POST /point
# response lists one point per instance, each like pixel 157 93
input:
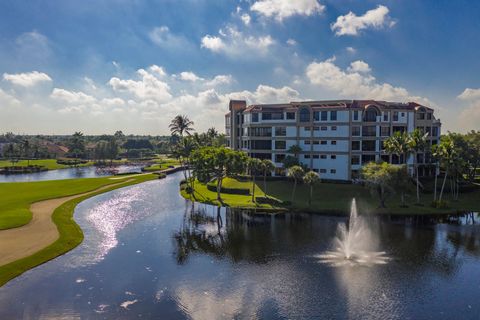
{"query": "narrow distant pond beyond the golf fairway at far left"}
pixel 62 174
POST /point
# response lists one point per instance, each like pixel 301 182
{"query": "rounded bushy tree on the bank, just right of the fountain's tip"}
pixel 380 177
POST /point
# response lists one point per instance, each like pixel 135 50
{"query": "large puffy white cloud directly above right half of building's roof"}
pixel 356 82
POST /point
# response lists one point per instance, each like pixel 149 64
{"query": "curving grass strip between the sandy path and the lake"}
pixel 70 233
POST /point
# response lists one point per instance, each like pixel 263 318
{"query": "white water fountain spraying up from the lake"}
pixel 354 245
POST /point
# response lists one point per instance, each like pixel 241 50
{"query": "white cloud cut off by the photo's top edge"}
pixel 281 9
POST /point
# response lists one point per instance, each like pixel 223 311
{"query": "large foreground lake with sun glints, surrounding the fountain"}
pixel 148 253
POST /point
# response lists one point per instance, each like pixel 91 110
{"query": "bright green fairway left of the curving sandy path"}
pixel 16 198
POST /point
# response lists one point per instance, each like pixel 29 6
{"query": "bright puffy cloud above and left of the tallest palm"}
pixel 148 87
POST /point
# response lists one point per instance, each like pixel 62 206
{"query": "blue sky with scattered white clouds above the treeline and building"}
pixel 99 66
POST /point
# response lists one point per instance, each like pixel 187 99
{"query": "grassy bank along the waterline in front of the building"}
pixel 330 198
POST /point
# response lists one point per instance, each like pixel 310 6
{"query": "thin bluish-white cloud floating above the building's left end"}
pixel 233 42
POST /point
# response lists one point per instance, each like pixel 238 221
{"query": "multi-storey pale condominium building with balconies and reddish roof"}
pixel 335 137
